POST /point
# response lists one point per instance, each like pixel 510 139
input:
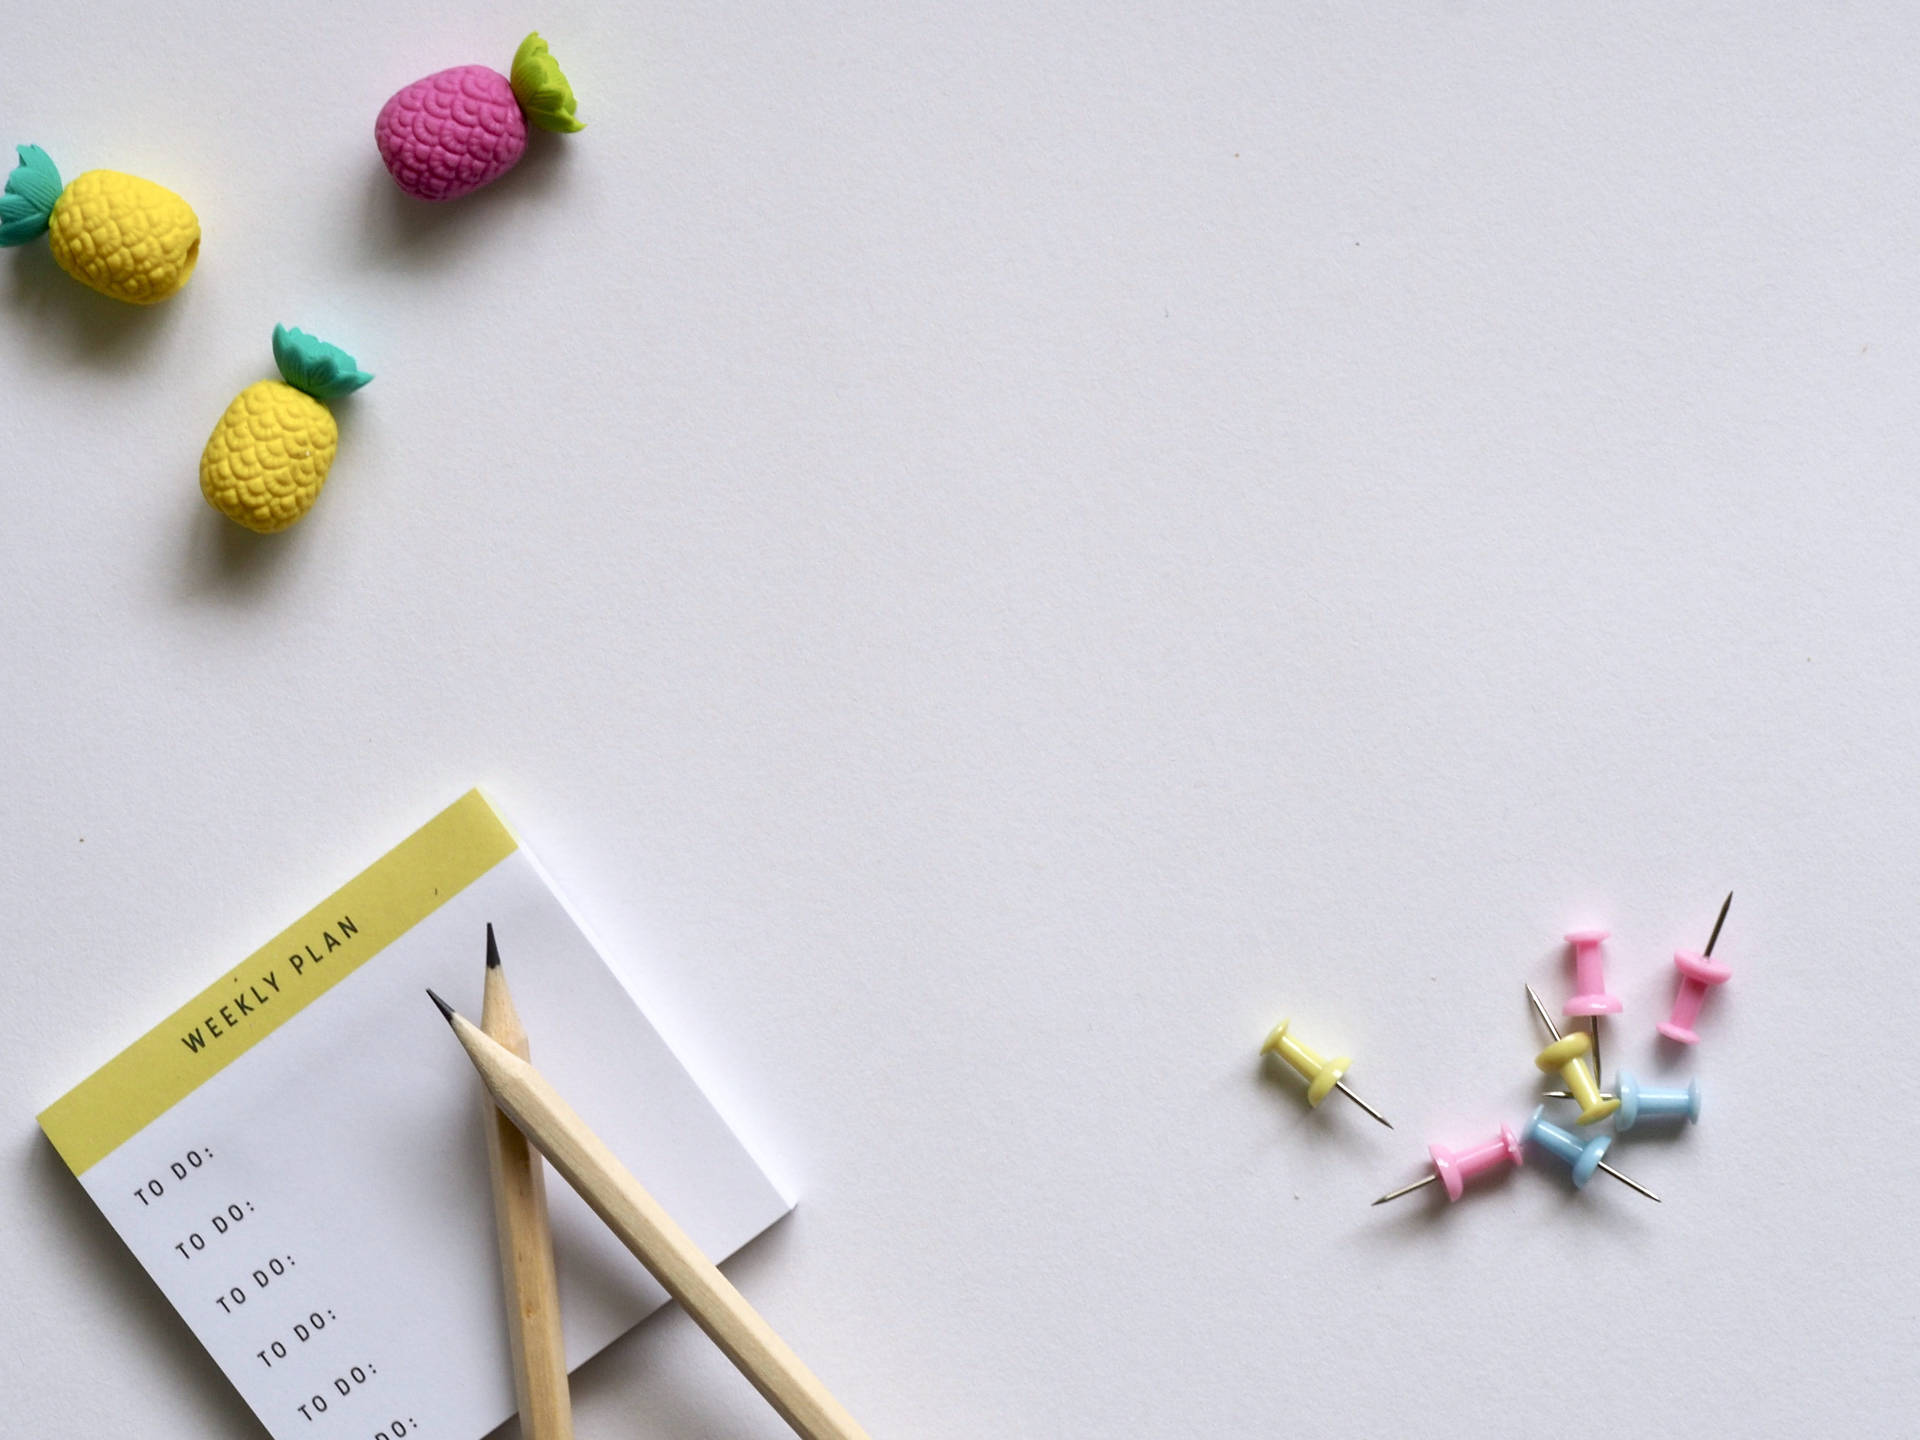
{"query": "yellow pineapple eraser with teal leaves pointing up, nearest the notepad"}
pixel 268 458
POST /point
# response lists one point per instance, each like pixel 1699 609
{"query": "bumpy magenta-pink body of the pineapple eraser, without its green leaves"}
pixel 452 133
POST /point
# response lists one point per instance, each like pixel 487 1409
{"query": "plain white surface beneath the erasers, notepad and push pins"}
pixel 1003 550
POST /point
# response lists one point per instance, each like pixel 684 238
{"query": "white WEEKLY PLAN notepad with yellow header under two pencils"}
pixel 299 1157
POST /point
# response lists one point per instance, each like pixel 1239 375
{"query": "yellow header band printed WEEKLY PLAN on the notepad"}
pixel 277 982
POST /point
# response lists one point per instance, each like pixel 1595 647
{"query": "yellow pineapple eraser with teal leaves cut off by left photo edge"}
pixel 120 235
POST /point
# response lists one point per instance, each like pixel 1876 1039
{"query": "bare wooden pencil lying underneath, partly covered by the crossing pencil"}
pixel 525 1239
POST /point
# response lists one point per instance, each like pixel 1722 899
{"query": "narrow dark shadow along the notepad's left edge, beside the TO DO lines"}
pixel 80 1232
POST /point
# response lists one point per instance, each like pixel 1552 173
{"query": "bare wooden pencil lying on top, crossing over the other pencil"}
pixel 654 1237
